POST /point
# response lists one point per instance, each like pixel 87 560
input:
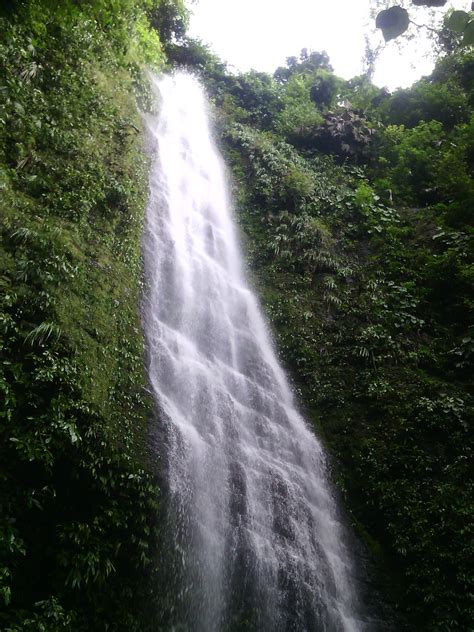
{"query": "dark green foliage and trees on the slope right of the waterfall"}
pixel 356 209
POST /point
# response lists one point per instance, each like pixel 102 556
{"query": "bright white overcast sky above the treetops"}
pixel 260 34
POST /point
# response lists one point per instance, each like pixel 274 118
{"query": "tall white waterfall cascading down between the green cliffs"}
pixel 257 544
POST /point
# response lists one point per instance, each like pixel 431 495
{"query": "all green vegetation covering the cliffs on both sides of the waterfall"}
pixel 356 209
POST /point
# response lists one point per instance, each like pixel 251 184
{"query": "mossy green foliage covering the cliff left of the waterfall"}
pixel 78 497
